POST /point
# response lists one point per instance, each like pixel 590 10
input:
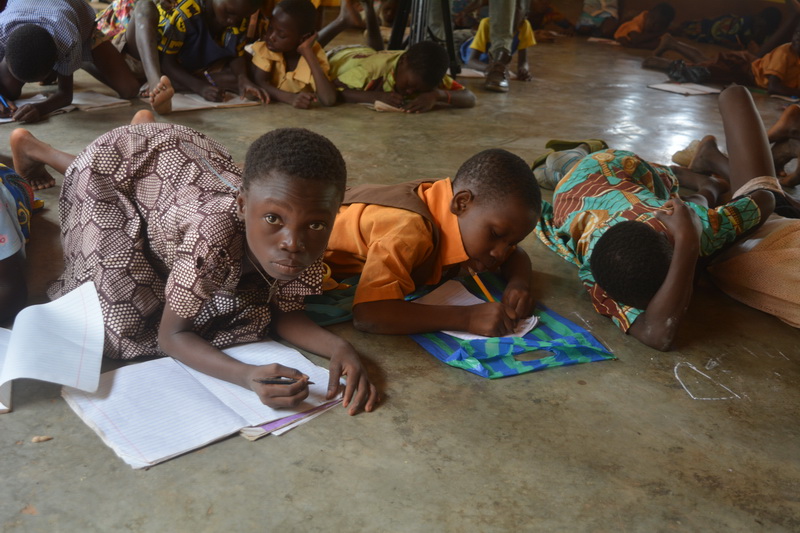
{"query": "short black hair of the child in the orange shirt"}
pixel 495 175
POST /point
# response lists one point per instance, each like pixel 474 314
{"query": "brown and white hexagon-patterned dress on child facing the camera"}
pixel 145 218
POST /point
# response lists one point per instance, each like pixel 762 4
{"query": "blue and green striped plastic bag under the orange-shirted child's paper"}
pixel 568 343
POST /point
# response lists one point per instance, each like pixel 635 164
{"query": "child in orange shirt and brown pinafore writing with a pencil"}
pixel 402 237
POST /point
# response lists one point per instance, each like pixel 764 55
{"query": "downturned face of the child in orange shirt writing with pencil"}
pixel 490 231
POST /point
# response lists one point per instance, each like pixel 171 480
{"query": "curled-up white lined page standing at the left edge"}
pixel 60 341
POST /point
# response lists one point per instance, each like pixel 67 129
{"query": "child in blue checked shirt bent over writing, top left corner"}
pixel 58 36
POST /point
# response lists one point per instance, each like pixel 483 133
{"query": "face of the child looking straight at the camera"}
pixel 288 222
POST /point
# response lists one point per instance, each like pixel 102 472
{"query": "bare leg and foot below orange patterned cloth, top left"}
pixel 132 27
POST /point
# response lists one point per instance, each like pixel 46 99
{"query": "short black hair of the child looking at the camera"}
pixel 298 153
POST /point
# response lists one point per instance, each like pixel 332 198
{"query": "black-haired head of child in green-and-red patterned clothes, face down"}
pixel 630 262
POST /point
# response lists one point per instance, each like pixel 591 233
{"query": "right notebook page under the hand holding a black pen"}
pixel 245 402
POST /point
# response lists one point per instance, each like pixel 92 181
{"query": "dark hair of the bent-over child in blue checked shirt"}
pixel 31 53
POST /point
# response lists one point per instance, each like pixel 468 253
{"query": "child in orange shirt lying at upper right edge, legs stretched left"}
pixel 777 71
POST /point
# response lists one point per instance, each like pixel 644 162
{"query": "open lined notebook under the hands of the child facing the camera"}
pixel 153 411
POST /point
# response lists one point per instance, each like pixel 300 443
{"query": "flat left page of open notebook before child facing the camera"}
pixel 152 411
